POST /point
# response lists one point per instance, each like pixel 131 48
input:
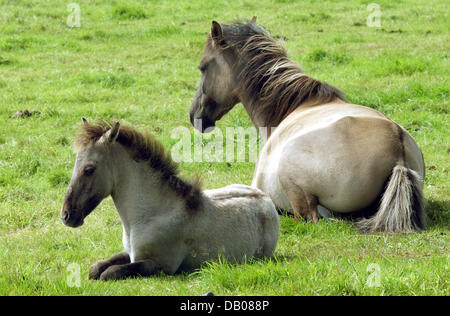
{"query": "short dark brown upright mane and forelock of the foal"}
pixel 145 147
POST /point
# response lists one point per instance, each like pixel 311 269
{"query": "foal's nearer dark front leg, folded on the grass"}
pixel 139 268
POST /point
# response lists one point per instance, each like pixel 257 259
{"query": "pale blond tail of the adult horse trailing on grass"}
pixel 401 209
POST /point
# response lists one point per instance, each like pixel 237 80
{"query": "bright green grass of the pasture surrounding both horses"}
pixel 137 61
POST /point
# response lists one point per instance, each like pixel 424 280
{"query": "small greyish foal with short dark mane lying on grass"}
pixel 168 224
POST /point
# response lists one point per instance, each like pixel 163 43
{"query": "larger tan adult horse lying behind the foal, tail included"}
pixel 324 151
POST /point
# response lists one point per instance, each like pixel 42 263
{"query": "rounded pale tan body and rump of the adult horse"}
pixel 340 153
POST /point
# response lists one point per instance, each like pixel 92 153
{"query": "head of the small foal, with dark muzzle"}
pixel 92 178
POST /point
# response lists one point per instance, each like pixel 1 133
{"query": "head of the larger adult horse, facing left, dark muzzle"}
pixel 216 93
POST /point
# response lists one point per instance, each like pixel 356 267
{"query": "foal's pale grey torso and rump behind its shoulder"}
pixel 238 222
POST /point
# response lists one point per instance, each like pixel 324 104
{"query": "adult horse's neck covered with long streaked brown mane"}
pixel 268 77
